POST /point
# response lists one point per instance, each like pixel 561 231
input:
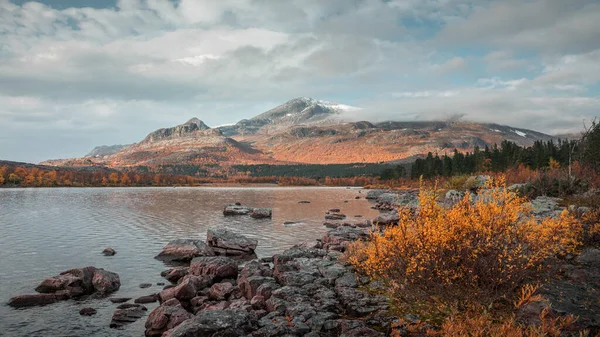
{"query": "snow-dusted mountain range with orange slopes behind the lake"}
pixel 302 131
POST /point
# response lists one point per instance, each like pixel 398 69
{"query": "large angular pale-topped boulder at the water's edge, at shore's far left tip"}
pixel 226 242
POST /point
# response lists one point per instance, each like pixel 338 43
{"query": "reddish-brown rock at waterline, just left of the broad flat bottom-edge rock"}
pixel 167 316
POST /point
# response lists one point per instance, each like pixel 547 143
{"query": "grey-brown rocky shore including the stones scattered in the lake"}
pixel 221 288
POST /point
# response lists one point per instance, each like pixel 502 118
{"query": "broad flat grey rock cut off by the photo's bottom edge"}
pixel 210 322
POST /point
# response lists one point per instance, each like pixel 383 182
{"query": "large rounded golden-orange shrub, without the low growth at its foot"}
pixel 474 252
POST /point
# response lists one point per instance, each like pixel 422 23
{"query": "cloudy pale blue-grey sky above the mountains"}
pixel 75 74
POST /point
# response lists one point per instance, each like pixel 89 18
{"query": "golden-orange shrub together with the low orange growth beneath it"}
pixel 469 268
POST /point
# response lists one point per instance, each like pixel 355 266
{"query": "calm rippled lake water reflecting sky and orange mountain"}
pixel 46 231
